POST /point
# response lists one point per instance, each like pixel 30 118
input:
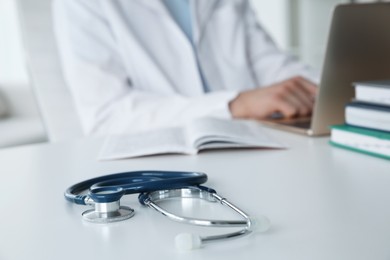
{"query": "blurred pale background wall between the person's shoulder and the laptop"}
pixel 299 27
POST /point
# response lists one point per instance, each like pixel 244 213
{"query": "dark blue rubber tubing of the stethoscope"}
pixel 110 188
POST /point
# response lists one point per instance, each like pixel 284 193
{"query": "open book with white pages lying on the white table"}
pixel 200 134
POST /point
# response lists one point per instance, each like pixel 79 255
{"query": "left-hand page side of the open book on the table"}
pixel 169 140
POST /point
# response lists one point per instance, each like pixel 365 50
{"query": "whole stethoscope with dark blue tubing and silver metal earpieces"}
pixel 105 192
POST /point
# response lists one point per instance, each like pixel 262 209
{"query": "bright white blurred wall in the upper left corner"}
pixel 12 67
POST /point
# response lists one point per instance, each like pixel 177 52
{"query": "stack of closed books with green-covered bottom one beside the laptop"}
pixel 367 121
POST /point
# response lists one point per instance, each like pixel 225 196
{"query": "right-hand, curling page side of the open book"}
pixel 207 133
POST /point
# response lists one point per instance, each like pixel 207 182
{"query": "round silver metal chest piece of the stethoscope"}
pixel 107 213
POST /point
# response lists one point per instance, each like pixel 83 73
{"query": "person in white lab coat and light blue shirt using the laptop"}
pixel 143 64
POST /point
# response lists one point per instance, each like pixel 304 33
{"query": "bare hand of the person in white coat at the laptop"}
pixel 292 98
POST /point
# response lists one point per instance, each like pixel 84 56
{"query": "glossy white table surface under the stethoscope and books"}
pixel 324 203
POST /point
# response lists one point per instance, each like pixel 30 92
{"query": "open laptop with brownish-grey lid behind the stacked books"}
pixel 358 50
